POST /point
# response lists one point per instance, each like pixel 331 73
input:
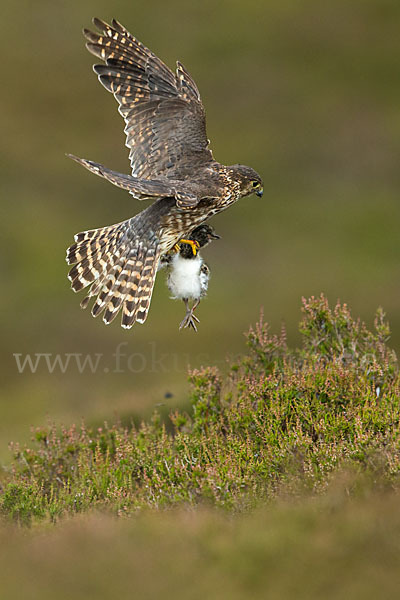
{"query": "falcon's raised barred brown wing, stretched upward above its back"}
pixel 164 117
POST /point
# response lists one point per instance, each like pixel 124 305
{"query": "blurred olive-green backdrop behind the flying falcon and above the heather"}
pixel 308 93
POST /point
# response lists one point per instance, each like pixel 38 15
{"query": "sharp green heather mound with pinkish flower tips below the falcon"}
pixel 283 420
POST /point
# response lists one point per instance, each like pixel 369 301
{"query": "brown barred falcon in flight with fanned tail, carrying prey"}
pixel 171 164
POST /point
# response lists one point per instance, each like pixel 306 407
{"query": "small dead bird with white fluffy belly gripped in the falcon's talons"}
pixel 188 274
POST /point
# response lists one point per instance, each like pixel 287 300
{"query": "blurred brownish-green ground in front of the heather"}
pixel 335 547
